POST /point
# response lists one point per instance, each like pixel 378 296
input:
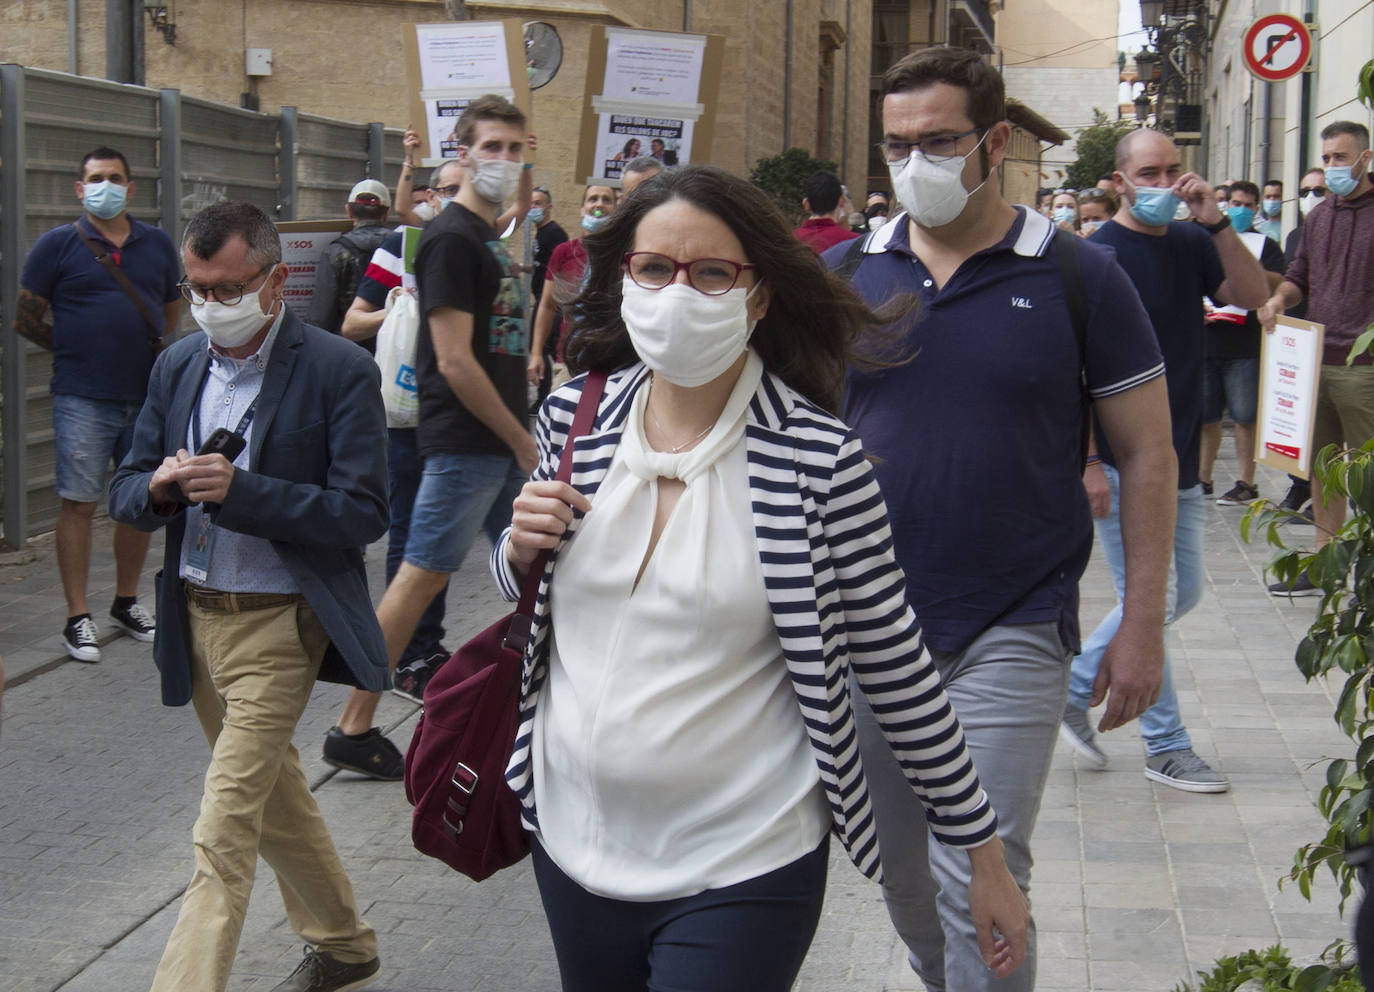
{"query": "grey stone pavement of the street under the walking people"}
pixel 1136 886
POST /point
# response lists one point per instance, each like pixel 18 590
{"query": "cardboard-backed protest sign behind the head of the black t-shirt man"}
pixel 450 65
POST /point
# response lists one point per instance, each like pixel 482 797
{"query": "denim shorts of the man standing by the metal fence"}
pixel 89 435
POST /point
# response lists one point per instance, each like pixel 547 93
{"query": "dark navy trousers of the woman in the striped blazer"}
pixel 745 938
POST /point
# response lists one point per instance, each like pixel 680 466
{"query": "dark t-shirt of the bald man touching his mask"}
pixel 1173 273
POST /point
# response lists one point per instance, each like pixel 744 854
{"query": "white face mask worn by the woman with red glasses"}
pixel 686 336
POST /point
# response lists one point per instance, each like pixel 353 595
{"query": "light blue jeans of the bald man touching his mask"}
pixel 1162 726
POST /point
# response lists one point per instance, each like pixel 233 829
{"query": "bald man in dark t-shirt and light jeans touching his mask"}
pixel 1173 266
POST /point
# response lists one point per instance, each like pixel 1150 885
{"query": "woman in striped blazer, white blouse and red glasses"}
pixel 722 580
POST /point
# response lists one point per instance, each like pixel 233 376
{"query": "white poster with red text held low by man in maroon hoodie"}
pixel 1291 366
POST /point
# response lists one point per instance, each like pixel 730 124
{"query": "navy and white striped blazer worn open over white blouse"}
pixel 837 597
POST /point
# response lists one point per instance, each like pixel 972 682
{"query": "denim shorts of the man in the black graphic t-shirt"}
pixel 460 494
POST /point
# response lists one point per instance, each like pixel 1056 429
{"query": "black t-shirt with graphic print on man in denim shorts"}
pixel 462 264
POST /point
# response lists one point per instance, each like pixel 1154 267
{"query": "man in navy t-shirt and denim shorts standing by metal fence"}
pixel 102 354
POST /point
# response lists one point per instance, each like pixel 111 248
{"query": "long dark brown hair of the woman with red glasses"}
pixel 814 318
